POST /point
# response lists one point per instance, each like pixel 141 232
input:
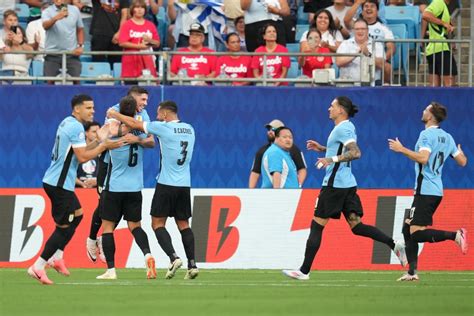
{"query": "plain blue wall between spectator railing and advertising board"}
pixel 229 127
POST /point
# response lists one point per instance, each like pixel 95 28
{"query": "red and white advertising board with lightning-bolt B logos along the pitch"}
pixel 261 229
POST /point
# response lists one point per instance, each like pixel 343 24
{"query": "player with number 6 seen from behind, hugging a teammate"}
pixel 122 196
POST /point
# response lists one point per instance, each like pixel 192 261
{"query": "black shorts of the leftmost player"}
pixel 63 204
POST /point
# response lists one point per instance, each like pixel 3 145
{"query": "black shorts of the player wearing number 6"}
pixel 114 205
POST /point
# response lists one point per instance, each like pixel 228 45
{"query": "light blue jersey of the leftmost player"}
pixel 63 168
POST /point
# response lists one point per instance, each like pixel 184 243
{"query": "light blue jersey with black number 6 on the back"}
pixel 125 169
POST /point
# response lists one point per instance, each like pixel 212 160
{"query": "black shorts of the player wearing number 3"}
pixel 170 201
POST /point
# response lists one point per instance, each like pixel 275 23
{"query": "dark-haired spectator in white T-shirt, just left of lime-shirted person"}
pixel 377 30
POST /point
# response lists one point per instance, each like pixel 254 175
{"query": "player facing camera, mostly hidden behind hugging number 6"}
pixel 94 243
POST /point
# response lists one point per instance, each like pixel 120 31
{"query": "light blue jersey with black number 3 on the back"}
pixel 176 146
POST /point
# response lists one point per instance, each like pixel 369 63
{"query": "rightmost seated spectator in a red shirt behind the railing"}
pixel 309 63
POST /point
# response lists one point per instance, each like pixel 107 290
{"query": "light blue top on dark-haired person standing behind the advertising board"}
pixel 275 159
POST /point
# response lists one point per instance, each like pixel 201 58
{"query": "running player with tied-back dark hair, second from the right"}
pixel 339 189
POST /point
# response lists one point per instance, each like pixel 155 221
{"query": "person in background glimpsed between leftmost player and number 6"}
pixel 87 171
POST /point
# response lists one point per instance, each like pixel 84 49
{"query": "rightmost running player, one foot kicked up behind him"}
pixel 433 147
